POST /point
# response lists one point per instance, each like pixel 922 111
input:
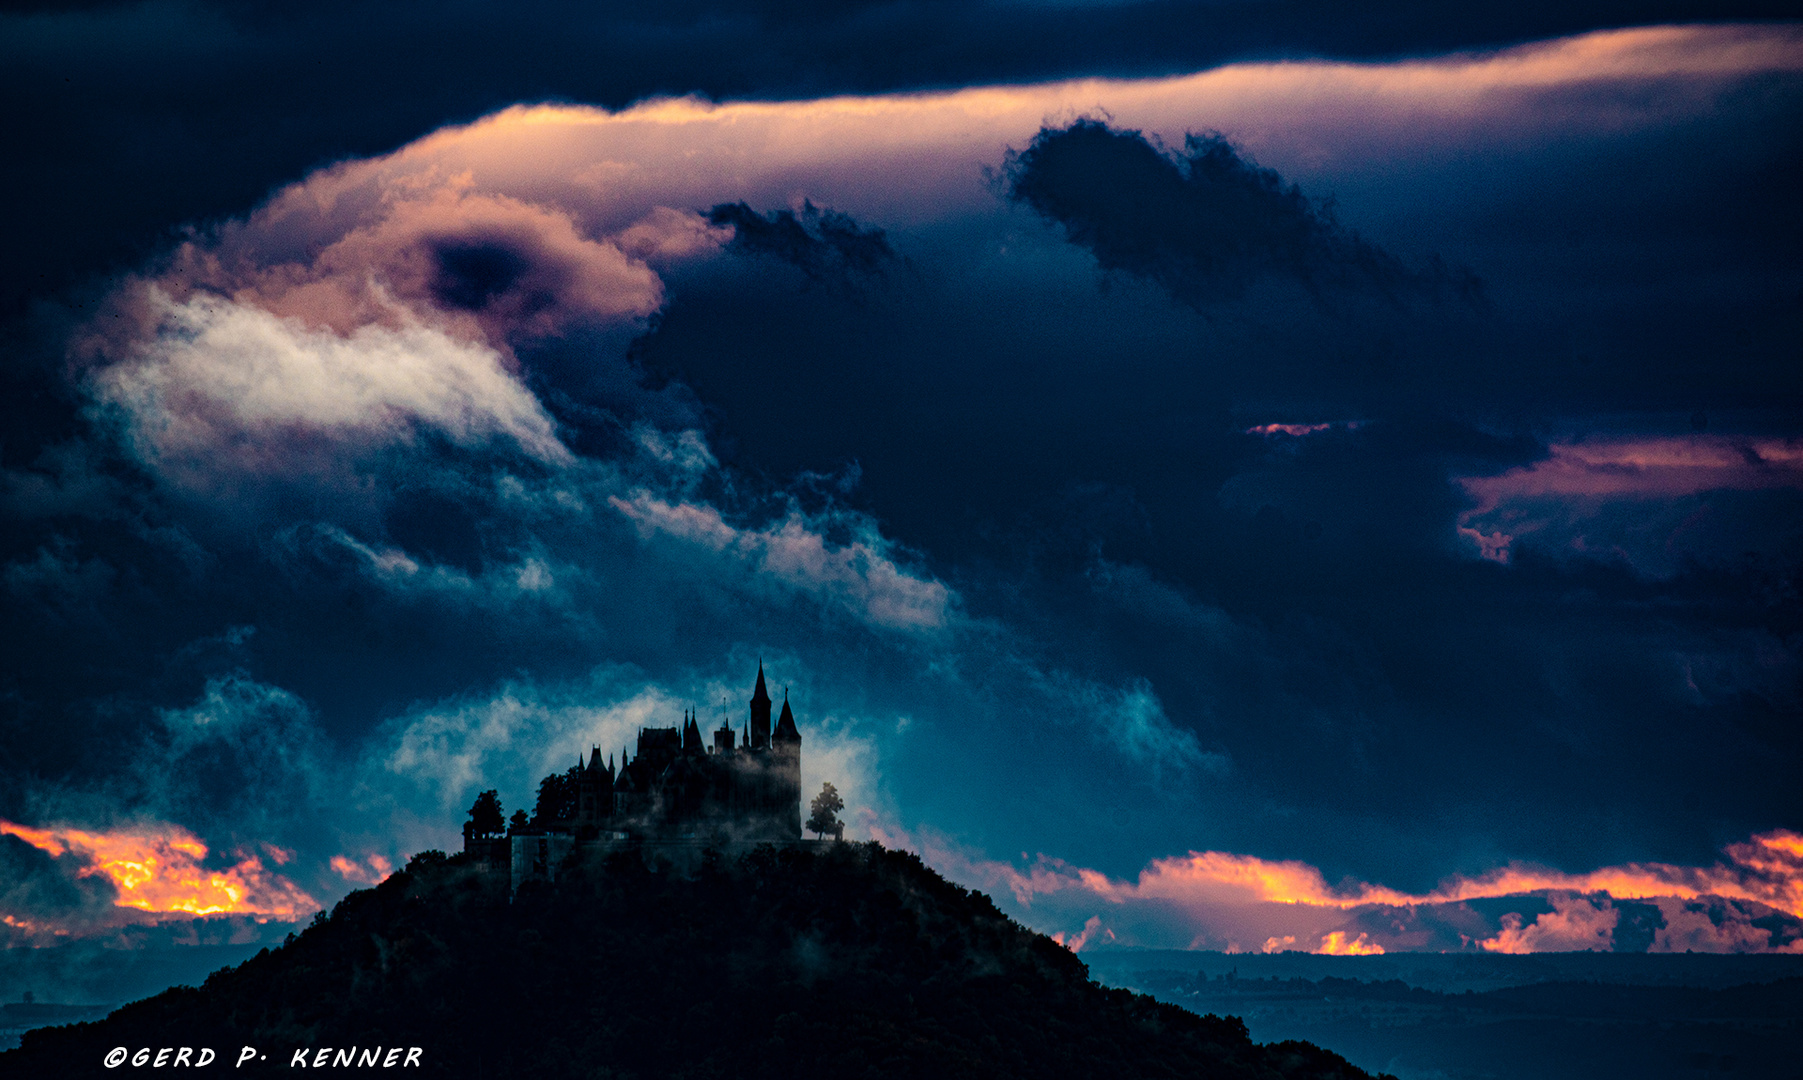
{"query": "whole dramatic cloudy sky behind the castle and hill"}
pixel 1211 475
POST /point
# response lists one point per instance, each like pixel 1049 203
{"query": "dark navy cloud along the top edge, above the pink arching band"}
pixel 136 118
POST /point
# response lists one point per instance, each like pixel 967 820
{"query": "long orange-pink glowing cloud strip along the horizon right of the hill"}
pixel 1249 904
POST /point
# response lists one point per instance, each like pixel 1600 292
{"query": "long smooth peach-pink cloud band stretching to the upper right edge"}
pixel 915 158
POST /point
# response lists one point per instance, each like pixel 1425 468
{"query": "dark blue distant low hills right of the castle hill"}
pixel 1571 1027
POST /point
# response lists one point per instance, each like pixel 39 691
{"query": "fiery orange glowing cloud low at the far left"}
pixel 158 870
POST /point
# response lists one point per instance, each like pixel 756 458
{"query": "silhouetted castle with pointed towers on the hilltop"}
pixel 673 791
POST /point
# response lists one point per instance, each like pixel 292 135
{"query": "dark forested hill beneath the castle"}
pixel 836 964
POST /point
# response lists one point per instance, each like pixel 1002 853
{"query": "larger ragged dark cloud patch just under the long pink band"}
pixel 1205 224
